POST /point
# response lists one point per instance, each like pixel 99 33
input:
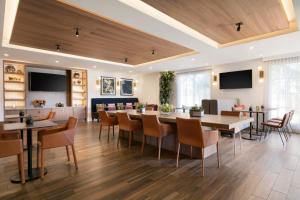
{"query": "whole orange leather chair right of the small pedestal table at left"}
pixel 57 137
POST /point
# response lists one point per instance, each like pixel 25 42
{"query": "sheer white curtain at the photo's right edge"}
pixel 283 88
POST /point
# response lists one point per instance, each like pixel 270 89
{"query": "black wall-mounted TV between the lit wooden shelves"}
pixel 47 82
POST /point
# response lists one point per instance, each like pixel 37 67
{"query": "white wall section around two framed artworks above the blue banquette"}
pixel 94 90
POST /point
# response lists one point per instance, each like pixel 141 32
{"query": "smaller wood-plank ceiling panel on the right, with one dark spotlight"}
pixel 216 19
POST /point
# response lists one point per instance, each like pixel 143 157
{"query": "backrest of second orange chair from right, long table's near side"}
pixel 151 125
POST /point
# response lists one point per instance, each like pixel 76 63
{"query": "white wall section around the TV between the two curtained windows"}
pixel 253 96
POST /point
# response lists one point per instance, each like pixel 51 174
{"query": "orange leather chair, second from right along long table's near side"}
pixel 152 127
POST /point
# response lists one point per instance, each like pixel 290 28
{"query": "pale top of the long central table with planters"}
pixel 214 121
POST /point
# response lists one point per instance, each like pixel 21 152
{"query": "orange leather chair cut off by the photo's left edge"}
pixel 11 144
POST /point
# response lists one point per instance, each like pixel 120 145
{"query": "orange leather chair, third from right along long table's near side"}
pixel 128 125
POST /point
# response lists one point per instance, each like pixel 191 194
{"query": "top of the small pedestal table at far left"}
pixel 23 126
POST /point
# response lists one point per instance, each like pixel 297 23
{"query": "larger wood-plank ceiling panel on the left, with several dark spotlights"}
pixel 44 23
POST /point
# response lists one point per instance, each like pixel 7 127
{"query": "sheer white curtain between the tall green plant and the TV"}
pixel 192 87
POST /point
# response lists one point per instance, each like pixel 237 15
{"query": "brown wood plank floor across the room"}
pixel 259 171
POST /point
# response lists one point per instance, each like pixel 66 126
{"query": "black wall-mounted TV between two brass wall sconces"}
pixel 236 79
